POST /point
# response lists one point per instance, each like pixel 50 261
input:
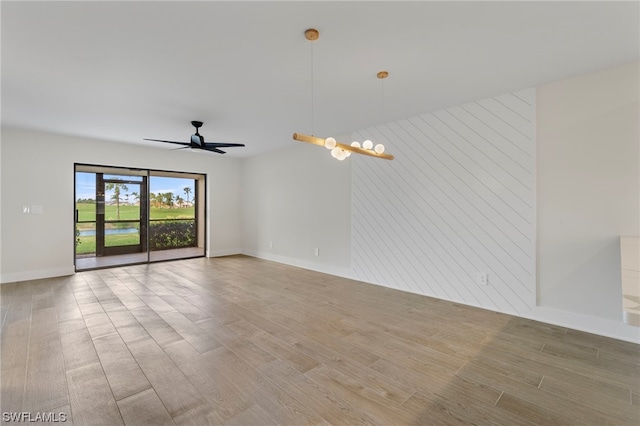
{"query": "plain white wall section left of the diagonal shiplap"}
pixel 298 198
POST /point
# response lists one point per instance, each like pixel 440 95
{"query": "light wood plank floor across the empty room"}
pixel 243 341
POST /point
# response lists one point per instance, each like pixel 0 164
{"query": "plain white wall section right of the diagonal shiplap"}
pixel 588 191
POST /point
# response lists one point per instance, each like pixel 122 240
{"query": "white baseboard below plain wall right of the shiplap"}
pixel 601 326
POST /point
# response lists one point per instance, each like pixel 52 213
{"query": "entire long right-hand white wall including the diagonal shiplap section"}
pixel 429 220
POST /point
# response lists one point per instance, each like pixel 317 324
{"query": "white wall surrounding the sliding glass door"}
pixel 38 169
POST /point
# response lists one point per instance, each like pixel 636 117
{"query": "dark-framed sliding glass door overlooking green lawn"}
pixel 126 216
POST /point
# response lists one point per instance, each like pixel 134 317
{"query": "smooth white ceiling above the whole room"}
pixel 124 71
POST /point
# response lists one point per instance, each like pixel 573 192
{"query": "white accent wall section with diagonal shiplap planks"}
pixel 458 199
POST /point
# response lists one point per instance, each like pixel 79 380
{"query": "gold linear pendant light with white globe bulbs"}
pixel 339 150
